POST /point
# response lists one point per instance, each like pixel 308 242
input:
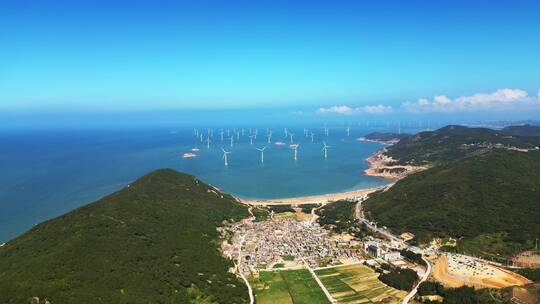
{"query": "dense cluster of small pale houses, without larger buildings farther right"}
pixel 262 245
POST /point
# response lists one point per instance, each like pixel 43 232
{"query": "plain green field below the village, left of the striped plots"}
pixel 287 286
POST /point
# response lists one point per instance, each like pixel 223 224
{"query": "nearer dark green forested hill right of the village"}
pixel 491 202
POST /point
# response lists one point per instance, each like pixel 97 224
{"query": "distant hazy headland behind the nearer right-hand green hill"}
pixel 454 142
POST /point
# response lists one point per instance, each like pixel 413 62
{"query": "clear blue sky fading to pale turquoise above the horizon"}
pixel 158 55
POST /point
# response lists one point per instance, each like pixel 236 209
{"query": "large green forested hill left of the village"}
pixel 152 242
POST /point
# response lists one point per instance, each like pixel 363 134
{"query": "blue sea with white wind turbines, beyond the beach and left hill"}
pixel 46 173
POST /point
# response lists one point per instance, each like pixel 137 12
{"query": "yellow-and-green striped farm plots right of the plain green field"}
pixel 357 284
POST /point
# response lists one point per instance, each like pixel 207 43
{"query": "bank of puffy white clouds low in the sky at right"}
pixel 500 100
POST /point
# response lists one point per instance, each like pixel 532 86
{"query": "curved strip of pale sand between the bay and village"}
pixel 314 199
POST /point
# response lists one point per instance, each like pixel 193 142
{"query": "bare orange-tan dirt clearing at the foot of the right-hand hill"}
pixel 451 273
